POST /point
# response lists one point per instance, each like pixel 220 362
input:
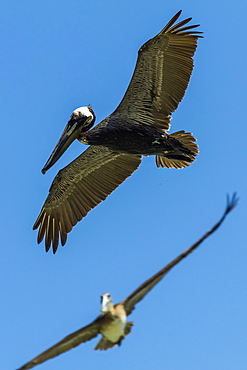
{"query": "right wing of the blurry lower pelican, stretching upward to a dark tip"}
pixel 135 297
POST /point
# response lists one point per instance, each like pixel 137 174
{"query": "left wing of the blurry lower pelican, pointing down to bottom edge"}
pixel 73 340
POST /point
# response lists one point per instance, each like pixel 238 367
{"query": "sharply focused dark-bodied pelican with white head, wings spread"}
pixel 137 127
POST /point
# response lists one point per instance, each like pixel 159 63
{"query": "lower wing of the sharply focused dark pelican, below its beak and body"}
pixel 78 188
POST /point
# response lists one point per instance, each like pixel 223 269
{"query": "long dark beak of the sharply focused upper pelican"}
pixel 71 132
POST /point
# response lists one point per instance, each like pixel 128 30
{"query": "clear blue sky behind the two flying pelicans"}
pixel 56 56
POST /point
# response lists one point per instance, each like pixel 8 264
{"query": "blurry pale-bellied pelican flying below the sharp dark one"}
pixel 111 323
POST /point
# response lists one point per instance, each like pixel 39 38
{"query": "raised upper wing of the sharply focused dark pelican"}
pixel 161 75
